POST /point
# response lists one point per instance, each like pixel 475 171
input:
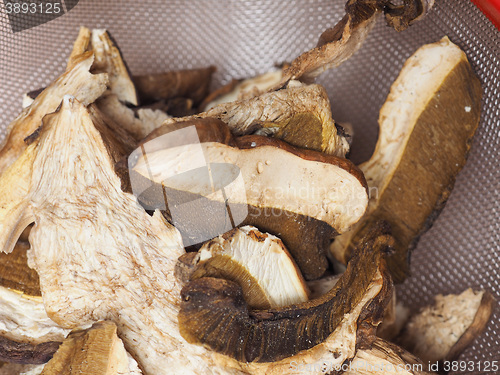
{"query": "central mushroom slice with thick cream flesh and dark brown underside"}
pixel 254 185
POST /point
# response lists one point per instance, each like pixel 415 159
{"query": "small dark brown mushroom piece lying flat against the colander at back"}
pixel 189 83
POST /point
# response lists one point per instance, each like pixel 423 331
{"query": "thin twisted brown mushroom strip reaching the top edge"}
pixel 339 43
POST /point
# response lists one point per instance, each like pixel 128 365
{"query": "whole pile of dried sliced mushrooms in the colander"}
pixel 115 259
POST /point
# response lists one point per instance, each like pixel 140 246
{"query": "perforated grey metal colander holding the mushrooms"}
pixel 243 38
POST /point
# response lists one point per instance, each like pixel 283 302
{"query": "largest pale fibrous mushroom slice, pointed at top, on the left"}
pixel 125 258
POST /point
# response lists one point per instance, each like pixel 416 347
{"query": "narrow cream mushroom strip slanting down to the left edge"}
pixel 76 80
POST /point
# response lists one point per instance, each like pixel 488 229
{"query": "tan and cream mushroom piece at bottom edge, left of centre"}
pixel 97 350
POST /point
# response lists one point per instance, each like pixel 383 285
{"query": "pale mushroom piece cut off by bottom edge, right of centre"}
pixel 387 358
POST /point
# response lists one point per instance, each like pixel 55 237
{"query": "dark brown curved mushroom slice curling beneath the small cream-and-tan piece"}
pixel 214 313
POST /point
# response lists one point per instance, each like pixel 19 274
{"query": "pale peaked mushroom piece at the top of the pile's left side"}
pixel 108 59
